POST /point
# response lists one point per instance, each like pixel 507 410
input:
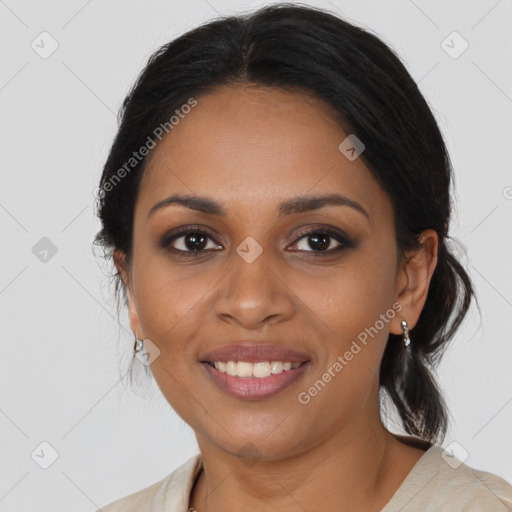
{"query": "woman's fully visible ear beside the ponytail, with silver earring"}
pixel 413 280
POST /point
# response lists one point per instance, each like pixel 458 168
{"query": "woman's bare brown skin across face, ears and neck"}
pixel 250 148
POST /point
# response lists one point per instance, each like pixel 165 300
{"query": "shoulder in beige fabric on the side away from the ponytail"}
pixel 170 493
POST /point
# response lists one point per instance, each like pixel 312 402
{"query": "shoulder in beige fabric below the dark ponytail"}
pixel 441 482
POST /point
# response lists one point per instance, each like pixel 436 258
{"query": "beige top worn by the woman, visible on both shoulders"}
pixel 432 485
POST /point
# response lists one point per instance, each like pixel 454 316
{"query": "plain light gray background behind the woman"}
pixel 62 352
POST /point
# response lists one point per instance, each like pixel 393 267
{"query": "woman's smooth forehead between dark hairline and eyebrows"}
pixel 249 145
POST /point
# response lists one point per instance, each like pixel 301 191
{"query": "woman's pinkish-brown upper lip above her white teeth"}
pixel 251 352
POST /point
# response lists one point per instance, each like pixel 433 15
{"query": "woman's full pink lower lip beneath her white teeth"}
pixel 254 387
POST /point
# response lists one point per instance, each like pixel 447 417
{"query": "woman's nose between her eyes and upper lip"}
pixel 254 294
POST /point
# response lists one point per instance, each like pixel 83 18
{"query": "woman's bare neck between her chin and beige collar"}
pixel 359 468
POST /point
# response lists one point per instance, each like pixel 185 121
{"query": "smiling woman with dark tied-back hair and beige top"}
pixel 277 204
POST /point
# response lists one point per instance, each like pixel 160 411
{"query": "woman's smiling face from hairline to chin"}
pixel 257 275
